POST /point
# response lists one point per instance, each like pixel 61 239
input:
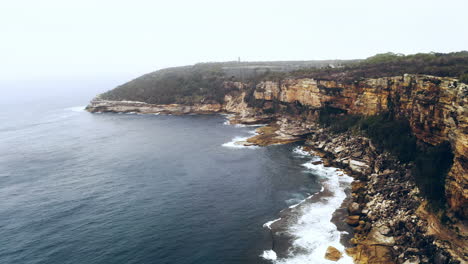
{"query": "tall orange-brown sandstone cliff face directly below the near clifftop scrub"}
pixel 437 109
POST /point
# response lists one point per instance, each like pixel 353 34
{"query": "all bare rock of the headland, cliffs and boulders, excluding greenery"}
pixel 391 218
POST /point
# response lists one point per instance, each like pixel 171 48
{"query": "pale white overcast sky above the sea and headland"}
pixel 48 39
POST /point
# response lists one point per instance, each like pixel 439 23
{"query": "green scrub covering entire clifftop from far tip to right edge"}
pixel 203 82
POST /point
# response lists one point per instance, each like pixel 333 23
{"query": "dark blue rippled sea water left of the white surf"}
pixel 108 188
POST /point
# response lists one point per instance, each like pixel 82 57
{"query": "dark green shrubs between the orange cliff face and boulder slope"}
pixel 431 163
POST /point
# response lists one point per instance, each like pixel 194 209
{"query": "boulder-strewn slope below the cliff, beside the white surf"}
pixel 388 216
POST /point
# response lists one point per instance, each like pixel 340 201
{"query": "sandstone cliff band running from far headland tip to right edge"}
pixel 435 107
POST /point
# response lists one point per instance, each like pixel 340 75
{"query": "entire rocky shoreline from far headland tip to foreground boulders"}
pixel 386 213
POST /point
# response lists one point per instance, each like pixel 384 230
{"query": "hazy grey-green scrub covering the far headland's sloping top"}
pixel 202 82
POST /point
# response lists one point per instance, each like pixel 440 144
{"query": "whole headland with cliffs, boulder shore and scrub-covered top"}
pixel 398 124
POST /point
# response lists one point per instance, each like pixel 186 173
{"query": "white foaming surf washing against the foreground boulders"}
pixel 309 222
